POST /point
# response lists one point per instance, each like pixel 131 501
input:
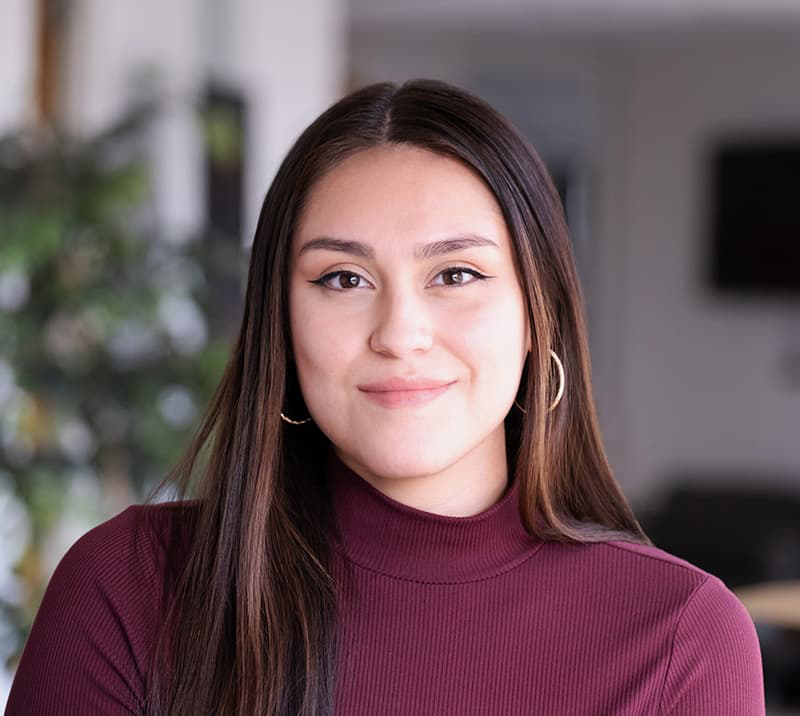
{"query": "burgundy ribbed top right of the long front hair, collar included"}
pixel 451 615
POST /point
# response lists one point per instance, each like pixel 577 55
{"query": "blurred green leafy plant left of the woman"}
pixel 107 345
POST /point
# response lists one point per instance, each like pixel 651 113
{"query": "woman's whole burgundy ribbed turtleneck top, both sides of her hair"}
pixel 438 615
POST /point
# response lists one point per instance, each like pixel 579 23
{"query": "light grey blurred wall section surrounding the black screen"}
pixel 705 385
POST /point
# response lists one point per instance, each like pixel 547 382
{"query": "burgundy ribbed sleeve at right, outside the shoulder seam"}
pixel 715 666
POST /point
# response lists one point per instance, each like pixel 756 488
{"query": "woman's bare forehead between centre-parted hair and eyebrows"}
pixel 400 192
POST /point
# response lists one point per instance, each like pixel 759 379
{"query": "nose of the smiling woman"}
pixel 402 325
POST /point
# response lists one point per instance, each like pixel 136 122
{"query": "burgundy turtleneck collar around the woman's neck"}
pixel 381 534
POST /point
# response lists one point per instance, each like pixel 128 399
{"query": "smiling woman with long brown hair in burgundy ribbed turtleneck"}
pixel 404 504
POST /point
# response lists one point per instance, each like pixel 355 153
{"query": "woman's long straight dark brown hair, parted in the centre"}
pixel 249 605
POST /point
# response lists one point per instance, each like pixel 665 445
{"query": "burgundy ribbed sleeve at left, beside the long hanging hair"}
pixel 86 650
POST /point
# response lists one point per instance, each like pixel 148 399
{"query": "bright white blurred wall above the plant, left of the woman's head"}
pixel 288 59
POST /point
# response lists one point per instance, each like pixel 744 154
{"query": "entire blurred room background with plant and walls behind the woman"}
pixel 138 140
